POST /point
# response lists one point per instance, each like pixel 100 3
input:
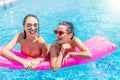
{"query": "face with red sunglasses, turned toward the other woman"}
pixel 62 34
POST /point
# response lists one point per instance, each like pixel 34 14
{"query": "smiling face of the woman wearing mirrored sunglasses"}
pixel 31 26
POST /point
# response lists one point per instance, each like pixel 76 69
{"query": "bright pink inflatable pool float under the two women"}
pixel 98 45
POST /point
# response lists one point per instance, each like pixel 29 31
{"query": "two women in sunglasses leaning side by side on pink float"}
pixel 34 45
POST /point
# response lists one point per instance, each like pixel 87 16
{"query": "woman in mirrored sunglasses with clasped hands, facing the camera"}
pixel 32 44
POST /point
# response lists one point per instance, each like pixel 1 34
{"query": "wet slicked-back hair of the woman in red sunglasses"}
pixel 70 27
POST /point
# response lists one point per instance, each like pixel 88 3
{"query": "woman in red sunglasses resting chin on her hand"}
pixel 66 46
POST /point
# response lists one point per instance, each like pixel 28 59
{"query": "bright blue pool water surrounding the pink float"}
pixel 90 18
